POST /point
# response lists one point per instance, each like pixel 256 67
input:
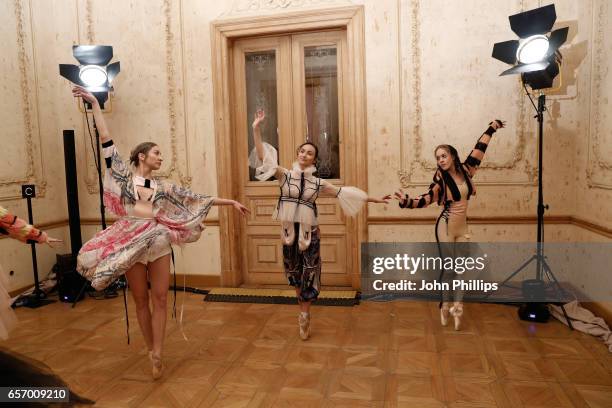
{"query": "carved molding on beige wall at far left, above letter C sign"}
pixel 10 187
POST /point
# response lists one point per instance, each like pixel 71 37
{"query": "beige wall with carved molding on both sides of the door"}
pixel 429 80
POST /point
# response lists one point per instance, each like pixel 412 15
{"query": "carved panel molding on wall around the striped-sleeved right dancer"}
pixel 419 163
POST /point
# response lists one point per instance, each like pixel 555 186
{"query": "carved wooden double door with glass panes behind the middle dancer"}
pixel 298 80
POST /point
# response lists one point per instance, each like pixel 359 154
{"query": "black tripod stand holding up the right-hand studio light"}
pixel 542 267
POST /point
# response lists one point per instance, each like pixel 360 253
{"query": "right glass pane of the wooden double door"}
pixel 321 80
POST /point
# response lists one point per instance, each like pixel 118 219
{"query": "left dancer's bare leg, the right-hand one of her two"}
pixel 159 274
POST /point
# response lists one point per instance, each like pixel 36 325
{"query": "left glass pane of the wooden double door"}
pixel 261 94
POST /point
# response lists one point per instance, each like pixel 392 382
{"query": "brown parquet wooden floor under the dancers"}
pixel 392 354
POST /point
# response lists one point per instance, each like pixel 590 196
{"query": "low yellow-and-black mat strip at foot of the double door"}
pixel 280 296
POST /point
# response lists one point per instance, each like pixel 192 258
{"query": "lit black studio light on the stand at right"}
pixel 535 56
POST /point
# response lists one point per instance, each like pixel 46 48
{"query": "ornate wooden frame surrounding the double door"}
pixel 223 33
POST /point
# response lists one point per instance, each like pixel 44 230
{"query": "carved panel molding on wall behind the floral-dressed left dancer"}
pixel 173 170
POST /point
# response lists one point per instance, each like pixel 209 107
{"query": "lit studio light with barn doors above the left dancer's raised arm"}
pixel 93 72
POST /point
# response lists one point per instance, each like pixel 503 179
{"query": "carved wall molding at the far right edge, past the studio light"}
pixel 596 164
